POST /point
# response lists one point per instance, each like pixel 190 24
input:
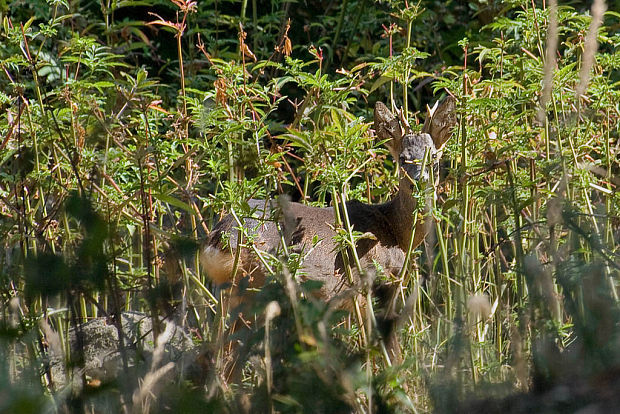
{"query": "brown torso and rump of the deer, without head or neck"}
pixel 384 242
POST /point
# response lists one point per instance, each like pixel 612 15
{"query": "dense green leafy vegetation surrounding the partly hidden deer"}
pixel 128 127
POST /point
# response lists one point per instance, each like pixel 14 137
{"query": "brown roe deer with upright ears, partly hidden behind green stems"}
pixel 388 228
